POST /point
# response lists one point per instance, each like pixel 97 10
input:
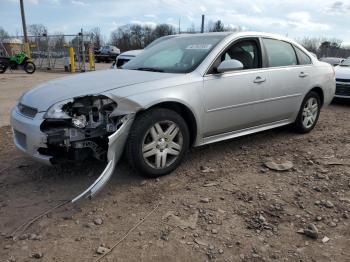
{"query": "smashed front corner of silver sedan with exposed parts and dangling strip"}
pixel 87 127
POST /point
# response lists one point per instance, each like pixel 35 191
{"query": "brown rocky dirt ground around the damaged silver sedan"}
pixel 222 204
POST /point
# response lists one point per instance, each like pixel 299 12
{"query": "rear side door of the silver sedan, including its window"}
pixel 288 78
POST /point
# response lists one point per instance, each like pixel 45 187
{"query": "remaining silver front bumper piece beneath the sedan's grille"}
pixel 27 135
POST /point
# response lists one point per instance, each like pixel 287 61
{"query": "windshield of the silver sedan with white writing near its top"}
pixel 176 55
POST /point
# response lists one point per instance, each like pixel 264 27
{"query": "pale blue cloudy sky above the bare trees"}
pixel 293 18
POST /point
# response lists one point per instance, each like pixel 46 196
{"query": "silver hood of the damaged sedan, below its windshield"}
pixel 45 95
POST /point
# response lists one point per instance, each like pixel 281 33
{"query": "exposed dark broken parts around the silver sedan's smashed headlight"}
pixel 82 130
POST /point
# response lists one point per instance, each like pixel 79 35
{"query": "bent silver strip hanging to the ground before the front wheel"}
pixel 116 143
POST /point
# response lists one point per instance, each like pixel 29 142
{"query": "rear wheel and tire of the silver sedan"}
pixel 308 114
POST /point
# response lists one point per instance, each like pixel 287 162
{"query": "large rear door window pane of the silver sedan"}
pixel 279 53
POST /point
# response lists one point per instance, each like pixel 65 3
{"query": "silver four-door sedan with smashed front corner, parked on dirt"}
pixel 187 91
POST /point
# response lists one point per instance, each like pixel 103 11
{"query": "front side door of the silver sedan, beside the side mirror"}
pixel 236 100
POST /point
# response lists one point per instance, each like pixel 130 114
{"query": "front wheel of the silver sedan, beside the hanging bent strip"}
pixel 157 142
